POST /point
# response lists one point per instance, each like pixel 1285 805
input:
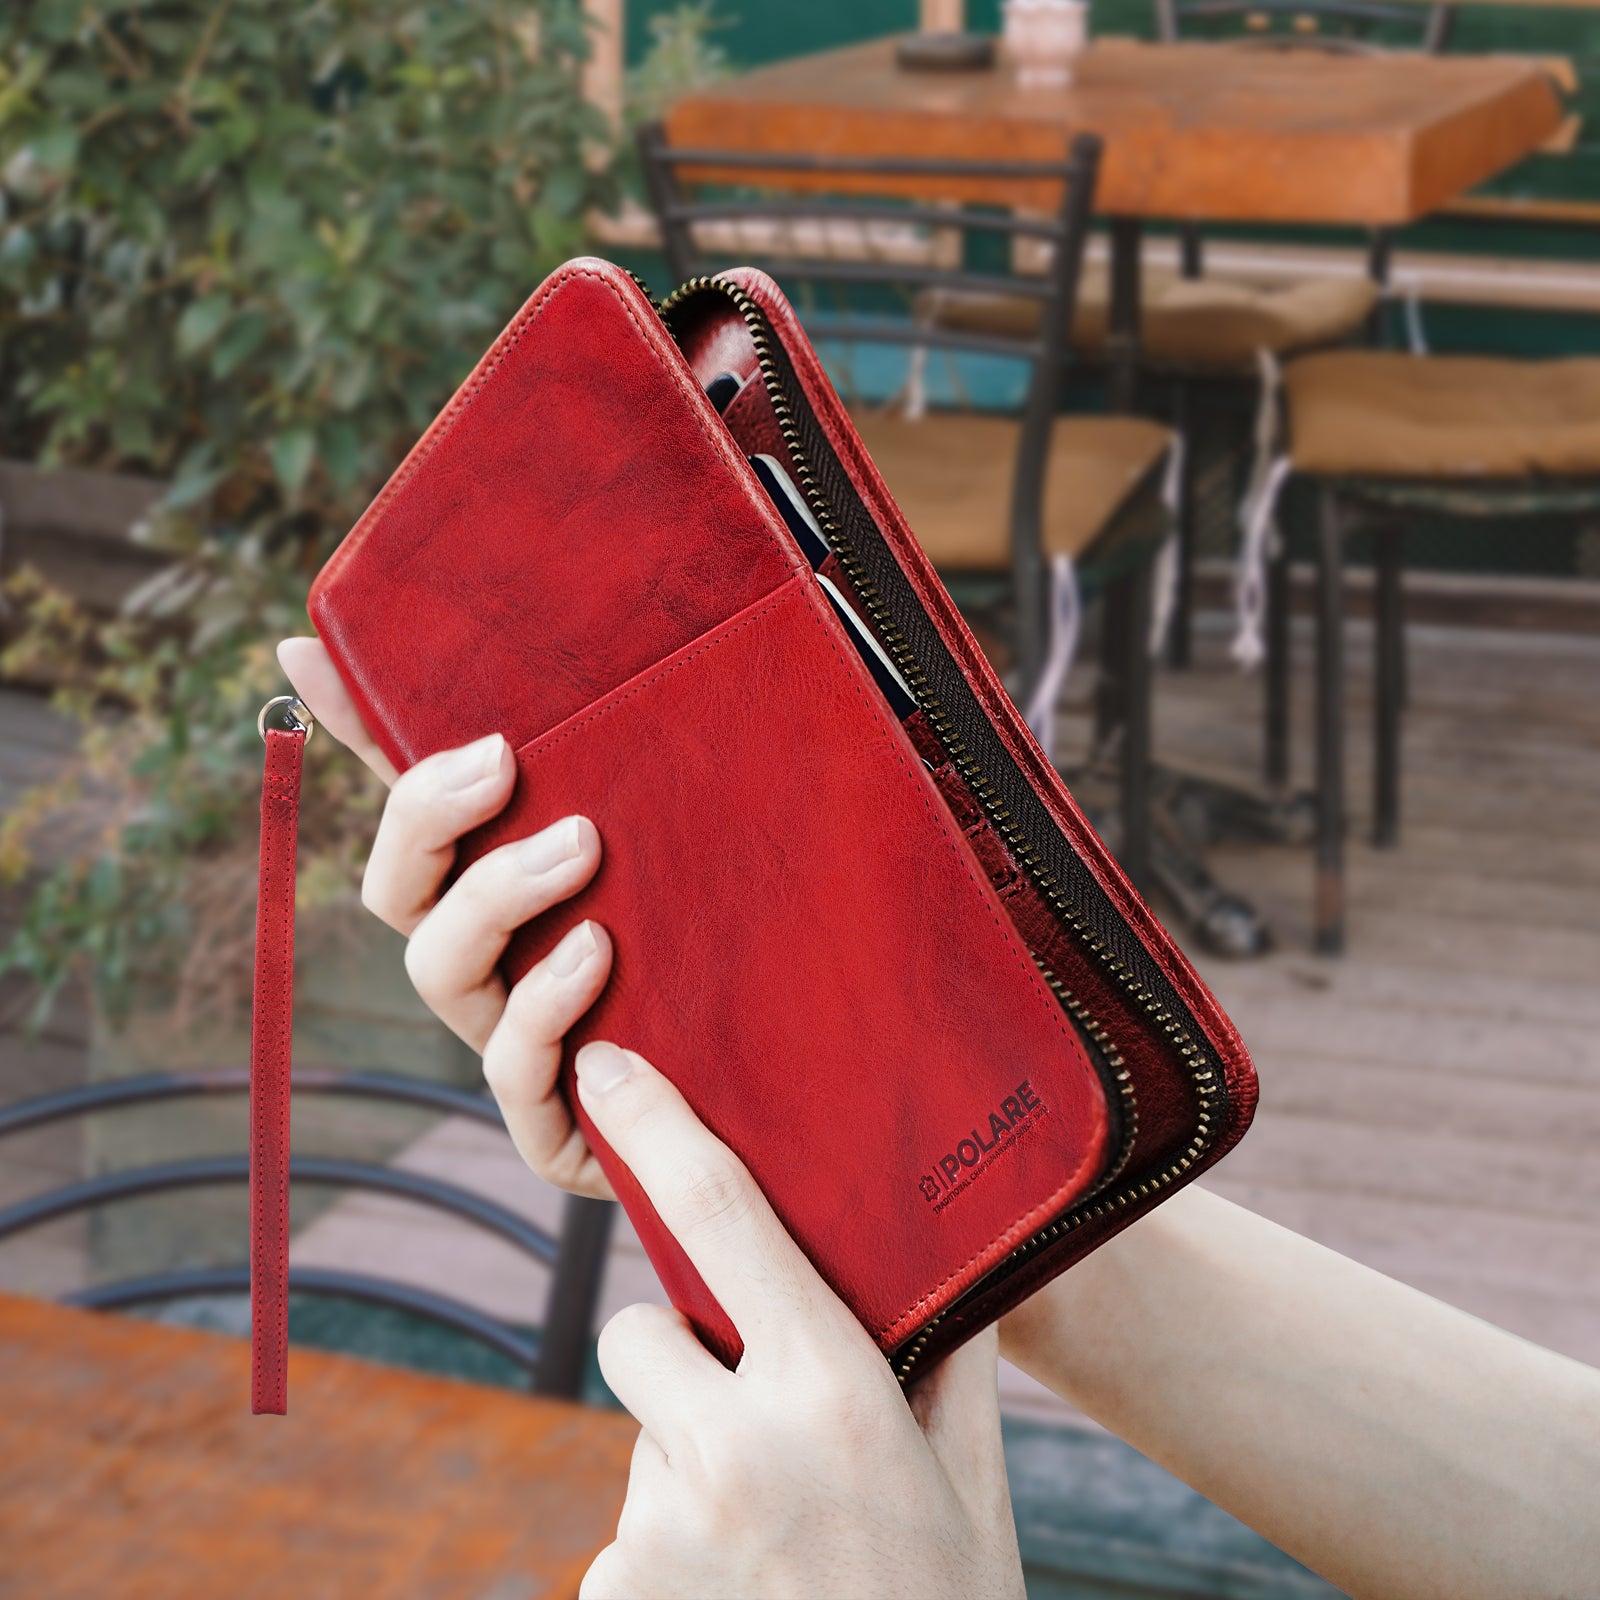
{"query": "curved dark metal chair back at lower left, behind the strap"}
pixel 554 1366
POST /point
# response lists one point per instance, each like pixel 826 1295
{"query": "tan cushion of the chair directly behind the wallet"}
pixel 951 474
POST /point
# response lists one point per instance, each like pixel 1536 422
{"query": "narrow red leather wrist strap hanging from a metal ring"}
pixel 270 1076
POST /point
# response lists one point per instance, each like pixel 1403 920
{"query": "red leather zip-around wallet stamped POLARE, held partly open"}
pixel 887 961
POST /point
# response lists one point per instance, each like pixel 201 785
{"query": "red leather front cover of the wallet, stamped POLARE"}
pixel 578 556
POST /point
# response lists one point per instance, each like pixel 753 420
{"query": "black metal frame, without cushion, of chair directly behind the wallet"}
pixel 1124 580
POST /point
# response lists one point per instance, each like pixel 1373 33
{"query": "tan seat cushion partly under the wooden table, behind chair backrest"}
pixel 1186 322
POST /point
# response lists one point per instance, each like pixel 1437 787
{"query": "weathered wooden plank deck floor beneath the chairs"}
pixel 1431 1103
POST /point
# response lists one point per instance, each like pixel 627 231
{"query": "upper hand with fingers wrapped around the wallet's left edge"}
pixel 457 937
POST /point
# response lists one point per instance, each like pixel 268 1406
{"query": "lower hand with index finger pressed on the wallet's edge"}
pixel 806 1473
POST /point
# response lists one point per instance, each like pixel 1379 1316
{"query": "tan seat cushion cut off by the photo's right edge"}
pixel 1388 415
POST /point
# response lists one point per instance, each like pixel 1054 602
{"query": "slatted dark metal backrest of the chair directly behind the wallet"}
pixel 906 226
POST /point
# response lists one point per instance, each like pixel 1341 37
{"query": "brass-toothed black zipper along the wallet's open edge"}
pixel 1201 1068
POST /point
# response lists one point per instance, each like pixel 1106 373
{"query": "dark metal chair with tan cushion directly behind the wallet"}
pixel 1022 513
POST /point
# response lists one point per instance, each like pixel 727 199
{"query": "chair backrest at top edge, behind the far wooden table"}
pixel 1322 25
